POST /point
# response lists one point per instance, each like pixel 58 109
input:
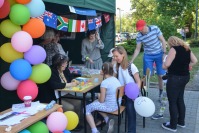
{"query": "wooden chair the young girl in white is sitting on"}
pixel 121 108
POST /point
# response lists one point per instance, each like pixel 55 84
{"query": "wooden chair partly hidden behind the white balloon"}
pixel 145 83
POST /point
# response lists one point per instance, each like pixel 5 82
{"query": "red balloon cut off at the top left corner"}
pixel 5 9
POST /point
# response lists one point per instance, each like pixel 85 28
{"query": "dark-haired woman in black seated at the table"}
pixel 60 78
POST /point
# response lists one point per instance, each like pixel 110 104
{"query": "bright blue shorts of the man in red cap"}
pixel 148 61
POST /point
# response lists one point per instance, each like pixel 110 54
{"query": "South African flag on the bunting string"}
pixel 62 23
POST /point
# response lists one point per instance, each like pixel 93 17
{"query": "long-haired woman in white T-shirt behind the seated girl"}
pixel 121 70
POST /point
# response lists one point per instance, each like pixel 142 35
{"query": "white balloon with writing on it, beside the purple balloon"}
pixel 144 106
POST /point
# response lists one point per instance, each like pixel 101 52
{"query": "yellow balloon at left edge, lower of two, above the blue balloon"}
pixel 9 54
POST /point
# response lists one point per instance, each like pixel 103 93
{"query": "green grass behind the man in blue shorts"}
pixel 139 63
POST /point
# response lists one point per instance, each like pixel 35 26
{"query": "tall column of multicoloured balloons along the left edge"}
pixel 21 25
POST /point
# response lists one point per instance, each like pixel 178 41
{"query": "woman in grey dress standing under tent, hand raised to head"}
pixel 91 50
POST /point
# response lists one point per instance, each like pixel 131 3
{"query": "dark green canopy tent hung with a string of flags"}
pixel 60 7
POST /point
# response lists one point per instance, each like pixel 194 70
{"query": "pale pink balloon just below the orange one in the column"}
pixel 21 41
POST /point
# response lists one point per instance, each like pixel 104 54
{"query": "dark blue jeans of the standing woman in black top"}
pixel 175 92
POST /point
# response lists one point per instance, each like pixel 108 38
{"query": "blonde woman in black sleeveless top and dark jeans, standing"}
pixel 180 58
